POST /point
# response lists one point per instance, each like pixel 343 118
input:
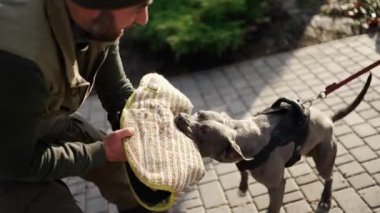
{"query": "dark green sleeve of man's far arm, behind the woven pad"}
pixel 112 86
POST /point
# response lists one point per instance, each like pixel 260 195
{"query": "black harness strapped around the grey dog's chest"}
pixel 293 127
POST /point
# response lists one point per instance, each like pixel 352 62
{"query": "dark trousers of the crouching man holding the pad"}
pixel 54 196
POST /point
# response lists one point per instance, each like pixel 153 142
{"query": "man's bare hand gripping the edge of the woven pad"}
pixel 113 145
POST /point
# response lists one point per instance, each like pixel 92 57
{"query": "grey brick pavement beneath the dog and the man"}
pixel 245 88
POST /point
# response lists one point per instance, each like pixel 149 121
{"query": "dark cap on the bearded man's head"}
pixel 108 4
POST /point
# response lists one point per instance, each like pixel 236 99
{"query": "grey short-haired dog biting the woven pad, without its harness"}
pixel 228 140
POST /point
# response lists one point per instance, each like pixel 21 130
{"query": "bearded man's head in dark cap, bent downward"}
pixel 105 20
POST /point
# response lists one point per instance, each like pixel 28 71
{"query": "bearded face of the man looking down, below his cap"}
pixel 108 25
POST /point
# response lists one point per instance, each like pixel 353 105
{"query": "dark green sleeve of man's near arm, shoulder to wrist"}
pixel 23 157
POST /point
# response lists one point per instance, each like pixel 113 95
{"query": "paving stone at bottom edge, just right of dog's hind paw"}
pixel 350 201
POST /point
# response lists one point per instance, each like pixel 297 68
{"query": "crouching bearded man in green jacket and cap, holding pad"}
pixel 52 53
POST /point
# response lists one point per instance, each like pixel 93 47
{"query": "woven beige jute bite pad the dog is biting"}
pixel 159 154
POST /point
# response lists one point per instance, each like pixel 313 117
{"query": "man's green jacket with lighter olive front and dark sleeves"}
pixel 43 75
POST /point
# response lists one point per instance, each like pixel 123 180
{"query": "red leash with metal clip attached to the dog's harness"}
pixel 334 86
